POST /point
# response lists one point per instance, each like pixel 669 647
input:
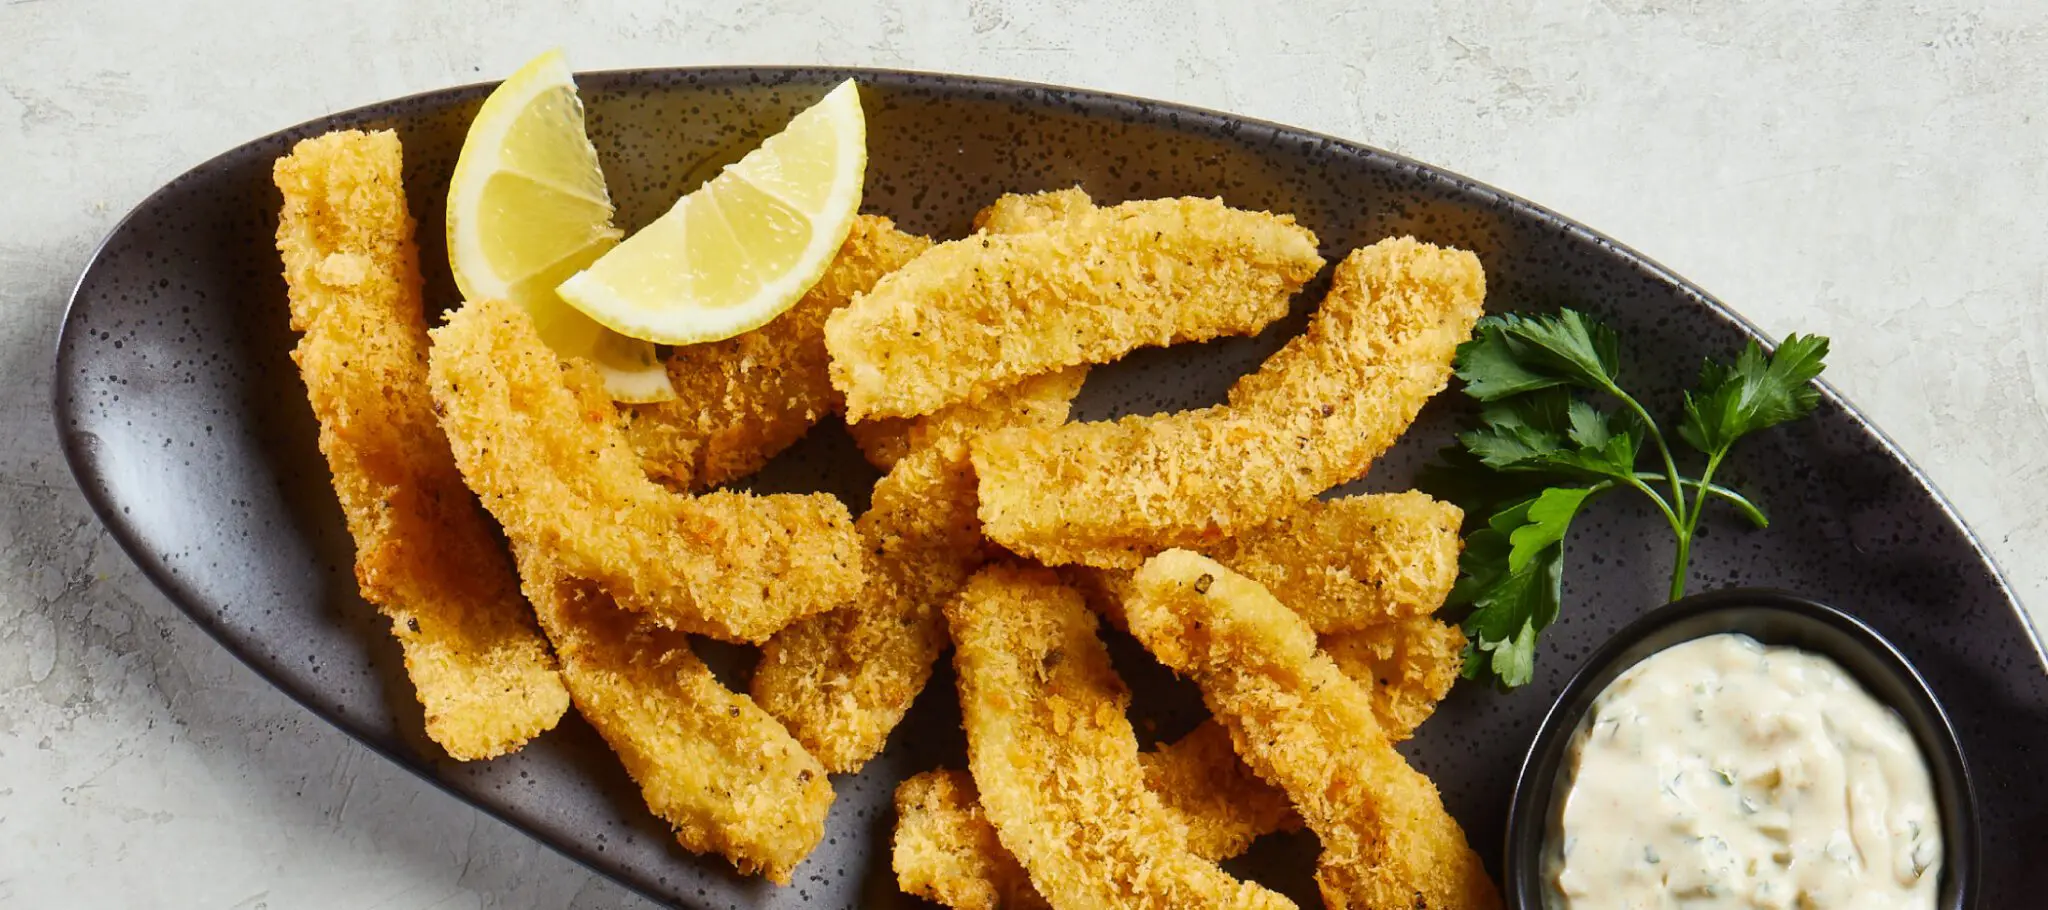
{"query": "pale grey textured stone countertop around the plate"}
pixel 1861 169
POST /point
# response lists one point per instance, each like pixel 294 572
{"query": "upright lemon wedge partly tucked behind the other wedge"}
pixel 527 208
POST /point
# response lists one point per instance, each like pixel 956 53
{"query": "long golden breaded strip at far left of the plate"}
pixel 425 554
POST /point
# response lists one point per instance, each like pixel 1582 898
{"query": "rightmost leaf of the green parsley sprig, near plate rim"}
pixel 1754 392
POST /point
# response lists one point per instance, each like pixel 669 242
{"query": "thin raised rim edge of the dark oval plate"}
pixel 85 462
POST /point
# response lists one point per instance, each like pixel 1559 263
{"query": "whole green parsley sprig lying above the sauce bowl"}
pixel 1555 431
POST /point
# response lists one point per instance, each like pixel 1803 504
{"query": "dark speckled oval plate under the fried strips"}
pixel 187 429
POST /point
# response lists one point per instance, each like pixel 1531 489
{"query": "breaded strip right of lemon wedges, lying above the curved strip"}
pixel 984 313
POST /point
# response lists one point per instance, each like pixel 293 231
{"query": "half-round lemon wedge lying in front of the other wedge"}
pixel 744 247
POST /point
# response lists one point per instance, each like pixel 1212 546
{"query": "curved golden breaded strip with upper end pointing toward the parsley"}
pixel 1314 417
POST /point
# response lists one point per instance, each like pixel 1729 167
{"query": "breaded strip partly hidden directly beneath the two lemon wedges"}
pixel 742 401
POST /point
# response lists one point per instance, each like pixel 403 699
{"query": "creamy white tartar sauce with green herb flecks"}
pixel 1721 774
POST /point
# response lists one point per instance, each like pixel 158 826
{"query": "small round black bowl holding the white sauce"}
pixel 1775 618
